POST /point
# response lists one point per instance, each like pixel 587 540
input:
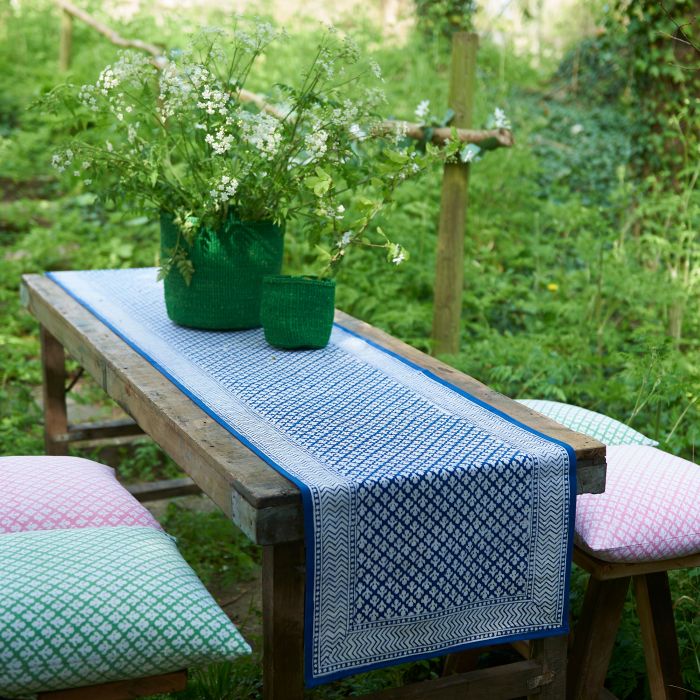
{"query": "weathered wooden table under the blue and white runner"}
pixel 265 505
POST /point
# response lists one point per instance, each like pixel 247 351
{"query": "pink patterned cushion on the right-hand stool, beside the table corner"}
pixel 650 509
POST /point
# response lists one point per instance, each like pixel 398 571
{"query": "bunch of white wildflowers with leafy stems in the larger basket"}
pixel 179 138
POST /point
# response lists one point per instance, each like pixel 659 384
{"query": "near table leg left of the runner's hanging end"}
pixel 283 621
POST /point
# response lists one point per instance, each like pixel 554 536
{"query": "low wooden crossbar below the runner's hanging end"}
pixel 498 683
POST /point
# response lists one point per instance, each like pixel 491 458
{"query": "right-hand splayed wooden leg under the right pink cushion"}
pixel 655 612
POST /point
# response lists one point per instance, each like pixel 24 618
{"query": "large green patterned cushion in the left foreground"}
pixel 95 605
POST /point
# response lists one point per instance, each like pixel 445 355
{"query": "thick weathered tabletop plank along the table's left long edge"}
pixel 260 500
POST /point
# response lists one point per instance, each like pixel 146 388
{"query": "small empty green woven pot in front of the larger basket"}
pixel 297 312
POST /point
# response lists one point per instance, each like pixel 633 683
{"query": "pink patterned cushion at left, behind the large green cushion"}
pixel 58 493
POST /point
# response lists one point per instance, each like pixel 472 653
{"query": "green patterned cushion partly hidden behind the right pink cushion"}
pixel 604 429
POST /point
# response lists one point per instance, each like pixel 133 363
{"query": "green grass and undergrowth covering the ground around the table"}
pixel 561 299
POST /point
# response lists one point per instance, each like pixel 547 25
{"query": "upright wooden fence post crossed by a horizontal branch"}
pixel 449 268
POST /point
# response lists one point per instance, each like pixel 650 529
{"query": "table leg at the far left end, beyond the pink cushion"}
pixel 53 367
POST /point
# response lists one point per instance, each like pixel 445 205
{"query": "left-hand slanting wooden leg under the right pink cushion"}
pixel 594 637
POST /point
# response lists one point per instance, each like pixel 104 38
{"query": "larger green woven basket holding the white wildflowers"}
pixel 229 266
